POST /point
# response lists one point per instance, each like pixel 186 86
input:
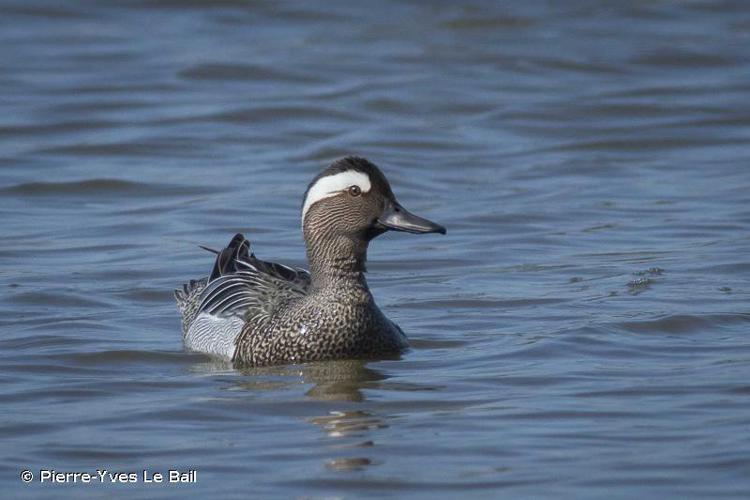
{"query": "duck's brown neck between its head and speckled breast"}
pixel 337 261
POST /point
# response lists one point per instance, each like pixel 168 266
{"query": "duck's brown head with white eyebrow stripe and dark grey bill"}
pixel 352 200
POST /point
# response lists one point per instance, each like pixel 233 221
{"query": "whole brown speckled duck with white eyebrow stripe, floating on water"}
pixel 258 313
